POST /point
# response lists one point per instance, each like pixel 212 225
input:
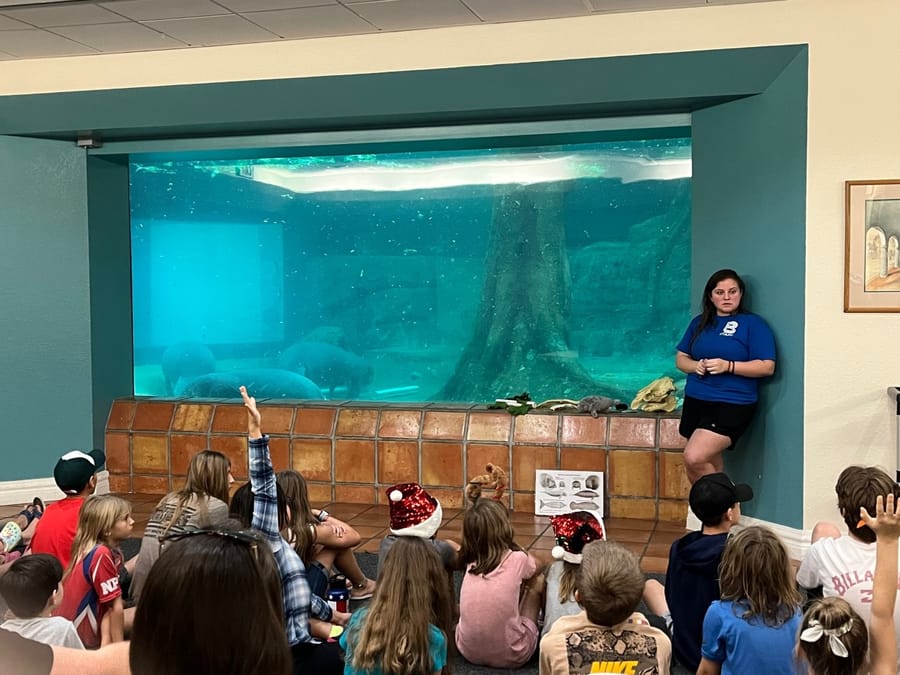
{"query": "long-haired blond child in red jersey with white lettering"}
pixel 92 598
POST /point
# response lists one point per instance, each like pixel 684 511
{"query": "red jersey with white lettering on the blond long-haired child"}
pixel 86 599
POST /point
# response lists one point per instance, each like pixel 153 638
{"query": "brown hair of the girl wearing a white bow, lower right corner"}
pixel 830 614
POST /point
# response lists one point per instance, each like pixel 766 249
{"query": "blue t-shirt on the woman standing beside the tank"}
pixel 740 337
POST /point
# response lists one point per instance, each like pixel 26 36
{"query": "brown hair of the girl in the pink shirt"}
pixel 487 536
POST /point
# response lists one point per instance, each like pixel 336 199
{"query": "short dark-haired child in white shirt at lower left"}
pixel 32 589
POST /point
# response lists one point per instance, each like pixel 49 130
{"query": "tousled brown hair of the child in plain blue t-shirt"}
pixel 755 574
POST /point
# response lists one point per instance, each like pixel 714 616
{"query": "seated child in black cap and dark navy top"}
pixel 692 580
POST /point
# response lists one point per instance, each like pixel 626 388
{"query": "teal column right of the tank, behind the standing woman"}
pixel 749 214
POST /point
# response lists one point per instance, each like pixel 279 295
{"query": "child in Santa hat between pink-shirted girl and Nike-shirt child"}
pixel 573 532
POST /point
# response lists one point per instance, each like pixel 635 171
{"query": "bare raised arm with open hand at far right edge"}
pixel 883 643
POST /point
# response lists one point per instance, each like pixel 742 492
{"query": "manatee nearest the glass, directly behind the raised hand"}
pixel 260 382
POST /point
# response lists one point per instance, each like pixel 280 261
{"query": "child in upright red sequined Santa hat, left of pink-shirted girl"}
pixel 415 513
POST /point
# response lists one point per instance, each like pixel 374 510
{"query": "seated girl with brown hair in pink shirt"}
pixel 501 594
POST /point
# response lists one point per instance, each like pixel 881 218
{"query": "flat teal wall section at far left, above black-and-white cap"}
pixel 45 305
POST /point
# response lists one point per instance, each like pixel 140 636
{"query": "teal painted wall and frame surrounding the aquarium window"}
pixel 748 106
